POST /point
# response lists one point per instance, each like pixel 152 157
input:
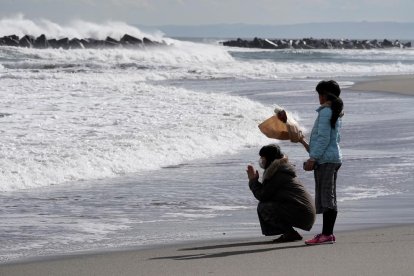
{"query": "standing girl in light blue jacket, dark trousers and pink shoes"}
pixel 325 157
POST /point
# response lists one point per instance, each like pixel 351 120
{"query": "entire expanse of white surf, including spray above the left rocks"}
pixel 82 114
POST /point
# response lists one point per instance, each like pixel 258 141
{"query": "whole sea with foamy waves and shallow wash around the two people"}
pixel 115 148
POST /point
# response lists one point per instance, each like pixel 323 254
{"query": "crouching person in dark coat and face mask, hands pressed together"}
pixel 283 201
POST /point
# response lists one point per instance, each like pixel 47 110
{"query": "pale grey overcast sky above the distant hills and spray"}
pixel 200 12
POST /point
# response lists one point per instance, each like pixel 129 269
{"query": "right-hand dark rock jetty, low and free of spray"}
pixel 312 43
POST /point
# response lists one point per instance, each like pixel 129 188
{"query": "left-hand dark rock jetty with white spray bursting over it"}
pixel 42 42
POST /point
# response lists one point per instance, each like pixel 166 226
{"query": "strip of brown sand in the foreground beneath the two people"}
pixel 382 251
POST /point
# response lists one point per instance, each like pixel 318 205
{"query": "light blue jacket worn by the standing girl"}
pixel 324 141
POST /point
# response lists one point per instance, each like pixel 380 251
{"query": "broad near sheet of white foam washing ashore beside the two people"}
pixel 79 128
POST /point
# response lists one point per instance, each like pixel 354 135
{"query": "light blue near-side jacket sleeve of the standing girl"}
pixel 322 137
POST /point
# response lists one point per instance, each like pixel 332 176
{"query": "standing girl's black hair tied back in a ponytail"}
pixel 332 91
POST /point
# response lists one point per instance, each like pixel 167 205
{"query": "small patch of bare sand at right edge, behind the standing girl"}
pixel 403 84
